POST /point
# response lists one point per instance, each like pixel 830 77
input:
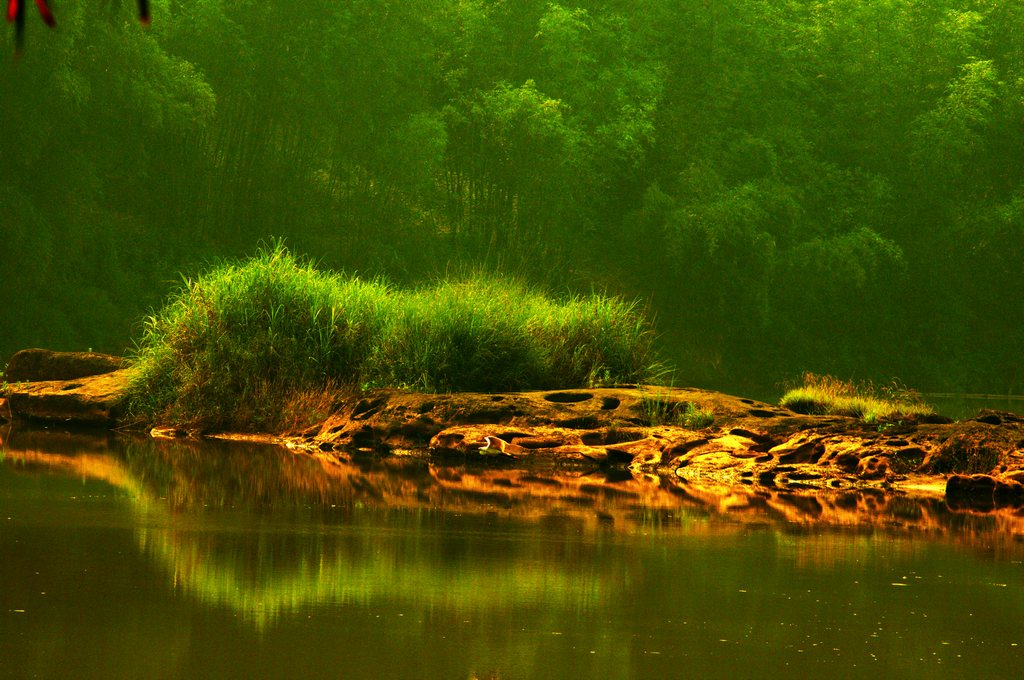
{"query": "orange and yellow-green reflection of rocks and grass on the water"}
pixel 204 482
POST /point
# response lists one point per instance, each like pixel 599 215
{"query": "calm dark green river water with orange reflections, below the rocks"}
pixel 133 559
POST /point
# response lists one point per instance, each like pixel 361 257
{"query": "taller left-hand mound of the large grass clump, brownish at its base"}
pixel 229 348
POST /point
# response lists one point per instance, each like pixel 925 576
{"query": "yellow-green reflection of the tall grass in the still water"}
pixel 294 572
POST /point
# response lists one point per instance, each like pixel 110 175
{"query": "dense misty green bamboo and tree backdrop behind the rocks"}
pixel 835 186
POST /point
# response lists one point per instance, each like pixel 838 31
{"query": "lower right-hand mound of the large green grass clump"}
pixel 488 334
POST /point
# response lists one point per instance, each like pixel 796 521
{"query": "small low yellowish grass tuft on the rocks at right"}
pixel 826 396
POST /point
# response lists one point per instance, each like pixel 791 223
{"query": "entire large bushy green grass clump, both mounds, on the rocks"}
pixel 265 343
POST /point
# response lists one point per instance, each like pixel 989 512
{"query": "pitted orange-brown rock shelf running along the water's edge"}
pixel 631 431
